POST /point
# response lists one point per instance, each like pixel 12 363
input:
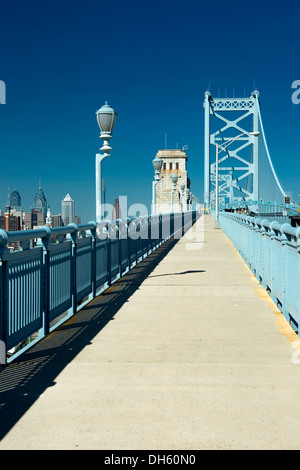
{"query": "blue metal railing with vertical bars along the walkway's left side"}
pixel 55 272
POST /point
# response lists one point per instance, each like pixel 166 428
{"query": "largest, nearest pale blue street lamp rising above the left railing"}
pixel 106 118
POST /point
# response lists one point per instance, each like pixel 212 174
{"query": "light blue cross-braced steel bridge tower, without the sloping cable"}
pixel 225 119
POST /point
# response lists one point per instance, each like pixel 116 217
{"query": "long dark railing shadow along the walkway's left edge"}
pixel 24 380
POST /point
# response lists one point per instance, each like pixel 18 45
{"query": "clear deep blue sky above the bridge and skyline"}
pixel 152 62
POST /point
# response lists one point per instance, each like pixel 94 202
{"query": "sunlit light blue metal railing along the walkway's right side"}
pixel 272 252
